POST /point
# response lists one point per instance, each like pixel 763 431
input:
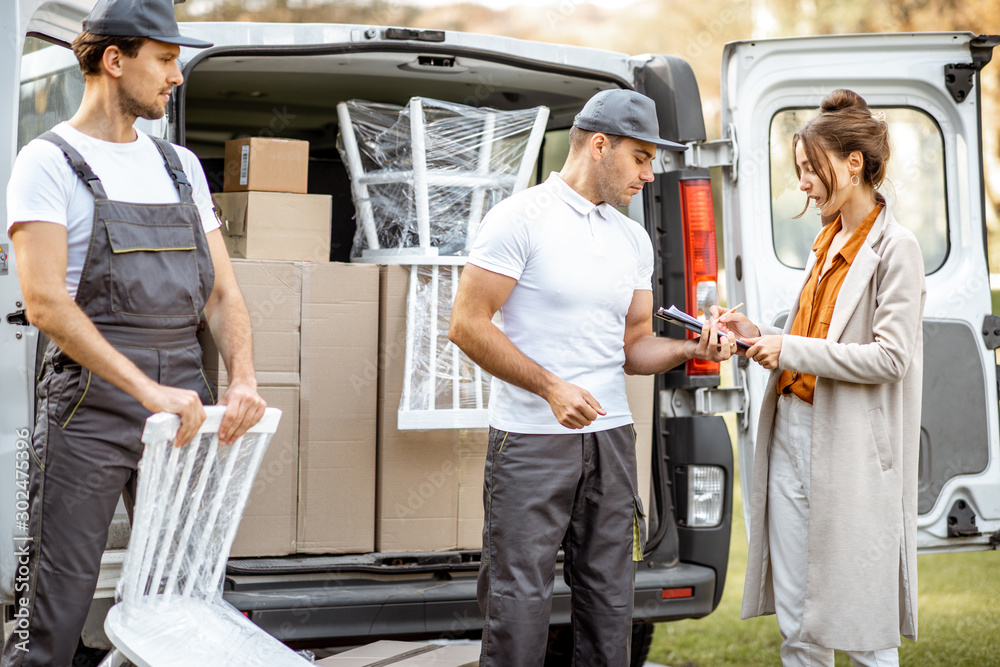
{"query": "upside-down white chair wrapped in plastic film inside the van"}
pixel 422 177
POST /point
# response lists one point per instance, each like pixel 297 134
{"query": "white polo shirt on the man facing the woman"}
pixel 577 267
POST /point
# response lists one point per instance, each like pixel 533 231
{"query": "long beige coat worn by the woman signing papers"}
pixel 861 579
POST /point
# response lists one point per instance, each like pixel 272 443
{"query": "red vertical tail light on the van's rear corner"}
pixel 701 271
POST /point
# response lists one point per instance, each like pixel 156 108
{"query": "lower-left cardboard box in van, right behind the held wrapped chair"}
pixel 269 521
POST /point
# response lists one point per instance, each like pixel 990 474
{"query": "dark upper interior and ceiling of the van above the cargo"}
pixel 295 95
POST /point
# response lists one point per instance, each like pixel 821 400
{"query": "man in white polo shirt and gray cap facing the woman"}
pixel 572 279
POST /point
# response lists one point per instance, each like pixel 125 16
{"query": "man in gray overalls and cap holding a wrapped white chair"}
pixel 118 252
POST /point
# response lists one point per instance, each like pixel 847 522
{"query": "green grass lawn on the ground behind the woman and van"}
pixel 958 612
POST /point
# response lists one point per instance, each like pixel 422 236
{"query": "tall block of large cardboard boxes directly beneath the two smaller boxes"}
pixel 315 492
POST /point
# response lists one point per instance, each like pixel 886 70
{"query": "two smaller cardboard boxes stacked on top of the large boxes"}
pixel 264 210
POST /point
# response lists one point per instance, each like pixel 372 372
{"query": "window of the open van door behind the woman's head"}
pixel 914 183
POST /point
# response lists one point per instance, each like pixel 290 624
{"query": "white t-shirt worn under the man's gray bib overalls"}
pixel 44 188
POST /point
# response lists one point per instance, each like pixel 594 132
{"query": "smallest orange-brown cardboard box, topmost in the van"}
pixel 266 165
